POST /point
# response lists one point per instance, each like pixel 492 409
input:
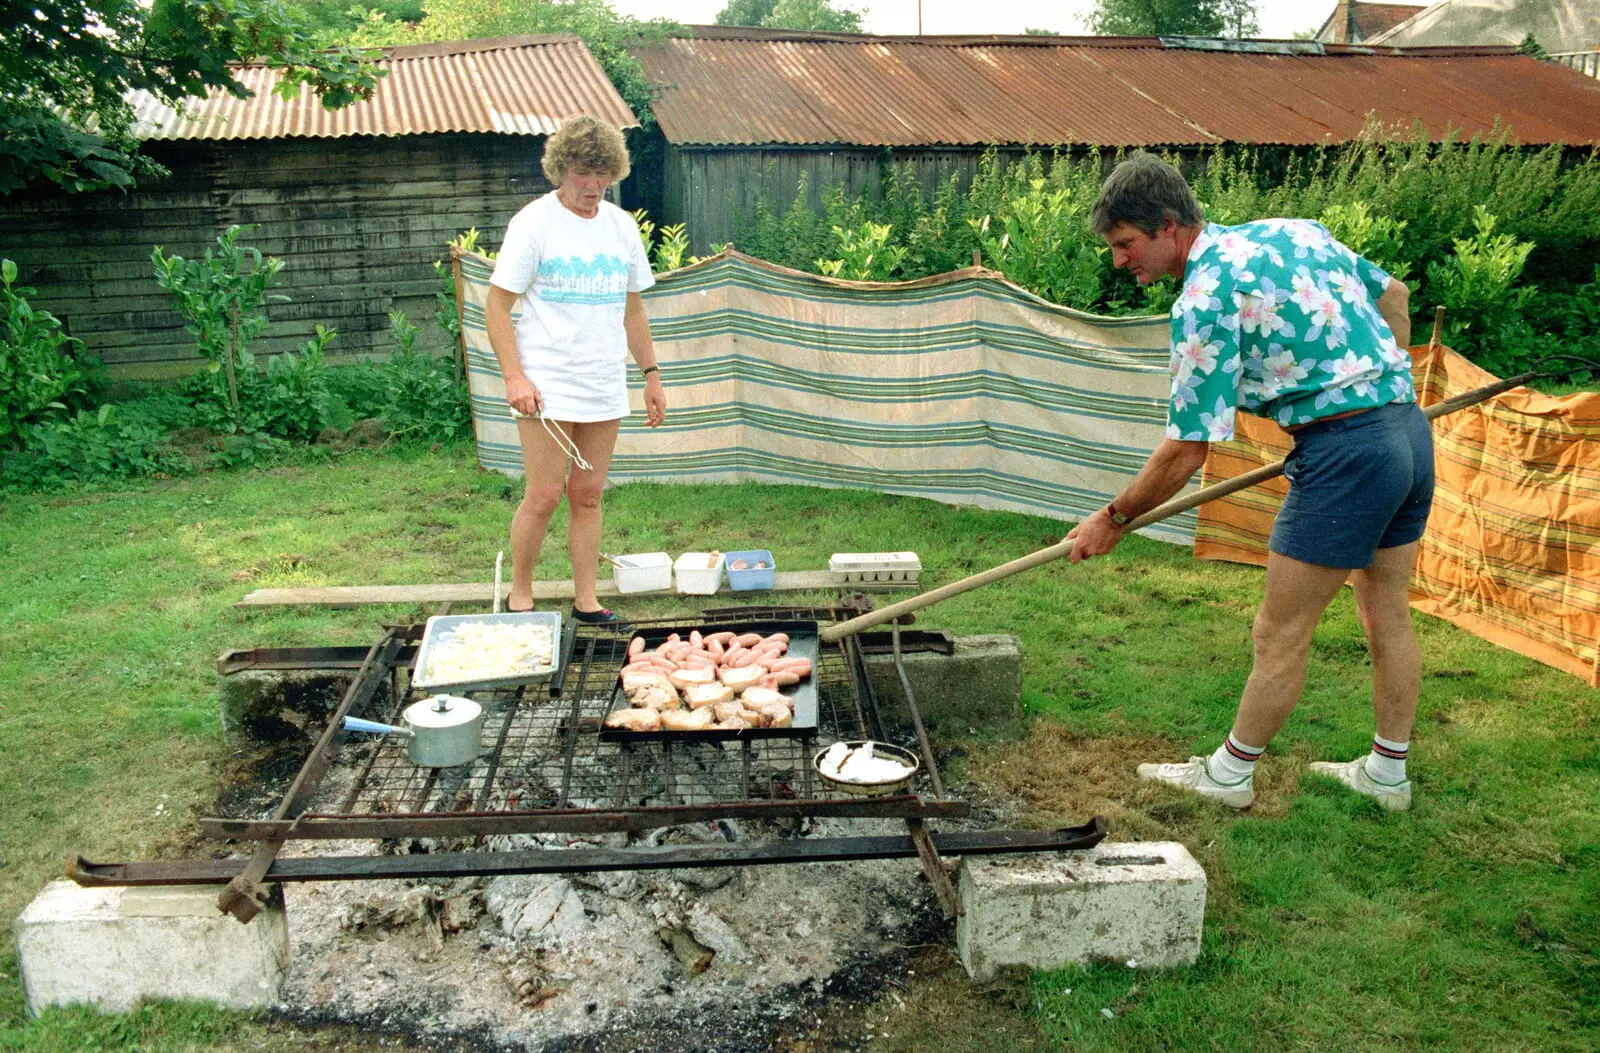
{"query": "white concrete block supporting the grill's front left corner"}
pixel 114 947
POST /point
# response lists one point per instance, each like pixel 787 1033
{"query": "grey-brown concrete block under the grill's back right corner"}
pixel 982 684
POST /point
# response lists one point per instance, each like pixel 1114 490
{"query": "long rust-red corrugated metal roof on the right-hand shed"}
pixel 740 87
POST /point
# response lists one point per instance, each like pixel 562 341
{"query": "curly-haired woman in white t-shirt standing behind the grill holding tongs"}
pixel 564 314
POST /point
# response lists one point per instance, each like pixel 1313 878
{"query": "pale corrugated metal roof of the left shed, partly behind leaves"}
pixel 511 86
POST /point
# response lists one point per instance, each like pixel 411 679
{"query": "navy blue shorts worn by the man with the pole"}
pixel 1359 484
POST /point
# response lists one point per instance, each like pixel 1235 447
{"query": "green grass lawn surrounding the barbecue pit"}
pixel 1470 924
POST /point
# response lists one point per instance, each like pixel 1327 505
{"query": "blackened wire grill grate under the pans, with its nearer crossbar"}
pixel 546 771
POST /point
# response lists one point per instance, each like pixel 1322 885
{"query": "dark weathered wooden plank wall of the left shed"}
pixel 358 222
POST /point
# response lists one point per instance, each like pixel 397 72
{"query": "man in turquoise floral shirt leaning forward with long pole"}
pixel 1279 319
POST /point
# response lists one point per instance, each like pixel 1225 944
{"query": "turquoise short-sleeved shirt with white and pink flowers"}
pixel 1279 319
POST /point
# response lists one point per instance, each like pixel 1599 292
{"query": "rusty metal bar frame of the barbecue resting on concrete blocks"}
pixel 847 708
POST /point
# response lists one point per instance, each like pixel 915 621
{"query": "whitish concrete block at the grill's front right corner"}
pixel 1132 902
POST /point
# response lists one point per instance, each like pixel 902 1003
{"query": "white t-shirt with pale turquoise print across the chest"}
pixel 572 278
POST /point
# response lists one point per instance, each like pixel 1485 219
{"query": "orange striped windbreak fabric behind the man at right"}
pixel 1513 548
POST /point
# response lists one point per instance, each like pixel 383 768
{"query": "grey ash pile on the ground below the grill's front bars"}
pixel 702 959
